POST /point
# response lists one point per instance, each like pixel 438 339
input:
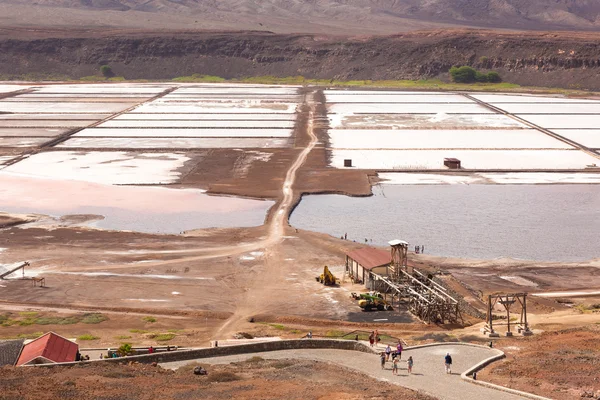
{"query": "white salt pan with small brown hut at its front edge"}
pixel 471 159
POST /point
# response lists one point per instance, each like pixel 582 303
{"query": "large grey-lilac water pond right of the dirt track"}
pixel 533 222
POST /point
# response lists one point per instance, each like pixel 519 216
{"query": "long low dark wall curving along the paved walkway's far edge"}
pixel 183 355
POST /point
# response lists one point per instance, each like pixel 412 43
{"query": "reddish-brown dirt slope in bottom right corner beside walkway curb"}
pixel 561 364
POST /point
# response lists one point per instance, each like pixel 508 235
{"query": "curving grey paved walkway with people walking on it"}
pixel 428 372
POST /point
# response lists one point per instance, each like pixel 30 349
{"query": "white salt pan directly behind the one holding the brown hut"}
pixel 442 139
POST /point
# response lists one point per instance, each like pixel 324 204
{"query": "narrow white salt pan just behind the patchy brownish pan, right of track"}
pixel 407 108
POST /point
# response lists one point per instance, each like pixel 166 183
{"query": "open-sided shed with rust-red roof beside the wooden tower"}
pixel 362 262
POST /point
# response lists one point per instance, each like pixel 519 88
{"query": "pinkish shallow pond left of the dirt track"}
pixel 131 208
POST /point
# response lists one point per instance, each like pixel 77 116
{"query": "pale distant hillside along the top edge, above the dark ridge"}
pixel 383 16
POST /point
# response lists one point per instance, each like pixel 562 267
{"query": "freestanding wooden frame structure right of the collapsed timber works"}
pixel 507 301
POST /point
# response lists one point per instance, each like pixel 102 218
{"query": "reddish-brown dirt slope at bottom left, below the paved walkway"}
pixel 252 379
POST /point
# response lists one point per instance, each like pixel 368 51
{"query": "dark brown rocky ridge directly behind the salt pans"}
pixel 533 59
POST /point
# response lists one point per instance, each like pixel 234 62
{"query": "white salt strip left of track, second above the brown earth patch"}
pixel 198 133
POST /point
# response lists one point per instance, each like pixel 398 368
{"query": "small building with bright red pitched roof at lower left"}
pixel 48 349
